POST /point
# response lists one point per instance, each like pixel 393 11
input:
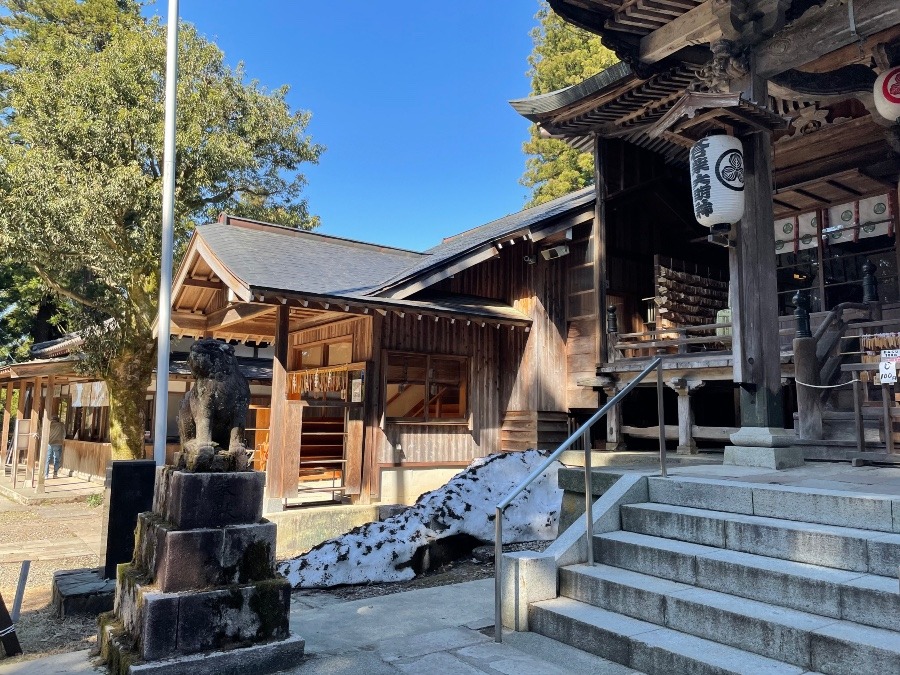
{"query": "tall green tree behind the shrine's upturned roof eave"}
pixel 563 55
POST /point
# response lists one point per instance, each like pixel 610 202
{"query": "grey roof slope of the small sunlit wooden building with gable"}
pixel 280 258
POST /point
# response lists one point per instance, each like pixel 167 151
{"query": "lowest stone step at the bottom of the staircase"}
pixel 644 646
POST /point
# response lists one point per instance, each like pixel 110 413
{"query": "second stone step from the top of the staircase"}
pixel 826 545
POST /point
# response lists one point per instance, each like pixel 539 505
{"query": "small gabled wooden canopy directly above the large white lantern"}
pixel 729 111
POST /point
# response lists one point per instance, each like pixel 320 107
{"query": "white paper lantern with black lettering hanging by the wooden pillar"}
pixel 717 180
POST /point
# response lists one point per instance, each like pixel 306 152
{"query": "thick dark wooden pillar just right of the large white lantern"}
pixel 757 354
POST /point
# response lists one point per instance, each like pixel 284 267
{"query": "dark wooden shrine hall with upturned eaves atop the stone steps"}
pixel 794 81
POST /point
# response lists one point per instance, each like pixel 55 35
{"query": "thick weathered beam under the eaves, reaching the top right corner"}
pixel 822 30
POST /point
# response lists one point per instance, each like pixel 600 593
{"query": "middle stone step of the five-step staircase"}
pixel 839 594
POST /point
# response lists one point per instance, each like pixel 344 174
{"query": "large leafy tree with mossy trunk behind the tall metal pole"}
pixel 82 88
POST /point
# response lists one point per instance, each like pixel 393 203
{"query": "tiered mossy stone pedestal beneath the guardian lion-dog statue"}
pixel 202 580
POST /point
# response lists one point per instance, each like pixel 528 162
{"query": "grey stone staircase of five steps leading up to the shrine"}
pixel 710 577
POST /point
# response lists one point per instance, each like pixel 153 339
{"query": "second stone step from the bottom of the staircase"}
pixel 787 635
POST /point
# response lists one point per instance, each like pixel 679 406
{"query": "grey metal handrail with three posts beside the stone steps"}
pixel 582 432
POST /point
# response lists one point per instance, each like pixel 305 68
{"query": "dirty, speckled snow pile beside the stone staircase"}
pixel 384 551
